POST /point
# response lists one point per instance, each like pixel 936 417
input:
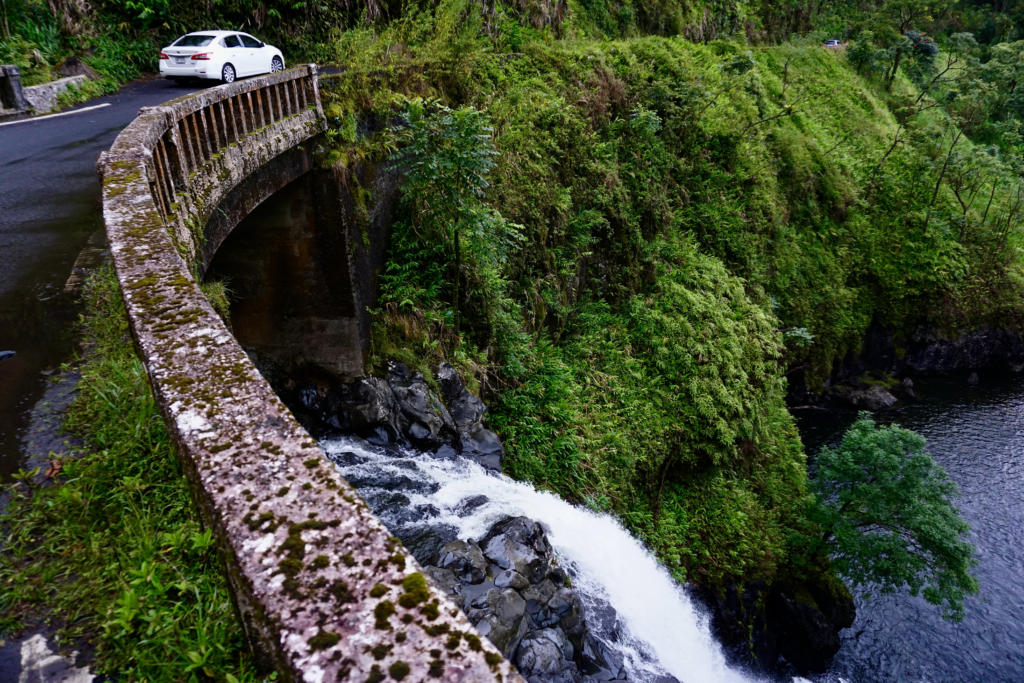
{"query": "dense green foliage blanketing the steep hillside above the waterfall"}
pixel 696 220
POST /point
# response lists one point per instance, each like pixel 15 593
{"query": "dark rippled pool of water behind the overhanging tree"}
pixel 977 435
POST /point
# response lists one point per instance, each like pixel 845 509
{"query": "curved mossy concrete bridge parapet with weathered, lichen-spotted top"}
pixel 323 590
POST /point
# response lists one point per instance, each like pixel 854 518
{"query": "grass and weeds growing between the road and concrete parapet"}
pixel 113 551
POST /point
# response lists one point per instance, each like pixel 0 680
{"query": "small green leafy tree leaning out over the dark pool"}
pixel 888 519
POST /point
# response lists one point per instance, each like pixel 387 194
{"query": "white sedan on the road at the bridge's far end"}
pixel 222 56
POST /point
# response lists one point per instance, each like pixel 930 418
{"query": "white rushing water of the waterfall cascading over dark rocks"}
pixel 664 628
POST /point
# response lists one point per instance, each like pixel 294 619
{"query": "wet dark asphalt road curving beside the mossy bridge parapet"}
pixel 50 207
